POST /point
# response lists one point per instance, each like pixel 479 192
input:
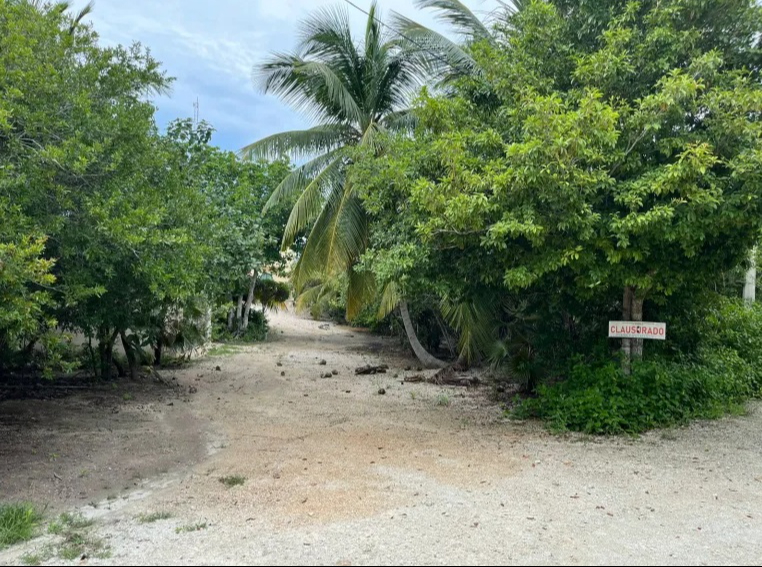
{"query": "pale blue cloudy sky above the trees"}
pixel 211 47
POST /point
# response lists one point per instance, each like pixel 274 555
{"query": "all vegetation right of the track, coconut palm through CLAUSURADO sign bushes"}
pixel 566 164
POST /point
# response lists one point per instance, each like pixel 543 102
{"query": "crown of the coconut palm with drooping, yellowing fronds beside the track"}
pixel 354 91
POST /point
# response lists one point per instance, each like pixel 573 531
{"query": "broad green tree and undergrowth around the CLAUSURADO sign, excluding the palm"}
pixel 593 154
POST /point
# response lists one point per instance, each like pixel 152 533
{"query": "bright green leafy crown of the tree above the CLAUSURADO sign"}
pixel 619 163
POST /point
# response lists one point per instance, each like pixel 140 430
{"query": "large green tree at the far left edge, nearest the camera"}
pixel 85 168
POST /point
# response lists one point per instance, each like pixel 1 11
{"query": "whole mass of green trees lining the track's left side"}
pixel 108 227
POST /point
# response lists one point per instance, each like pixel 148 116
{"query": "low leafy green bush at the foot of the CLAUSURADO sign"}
pixel 719 378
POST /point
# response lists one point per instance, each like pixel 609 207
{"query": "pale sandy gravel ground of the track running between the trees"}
pixel 337 474
